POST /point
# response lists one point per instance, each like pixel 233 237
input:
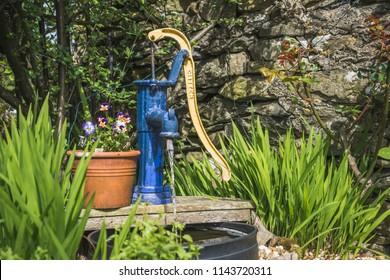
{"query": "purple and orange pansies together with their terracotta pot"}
pixel 112 169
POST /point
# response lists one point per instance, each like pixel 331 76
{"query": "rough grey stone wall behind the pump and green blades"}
pixel 240 39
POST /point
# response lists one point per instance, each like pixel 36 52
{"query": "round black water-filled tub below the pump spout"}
pixel 219 241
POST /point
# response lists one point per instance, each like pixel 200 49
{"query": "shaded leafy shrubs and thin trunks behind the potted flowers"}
pixel 78 52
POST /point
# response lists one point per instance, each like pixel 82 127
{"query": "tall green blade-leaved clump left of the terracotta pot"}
pixel 40 206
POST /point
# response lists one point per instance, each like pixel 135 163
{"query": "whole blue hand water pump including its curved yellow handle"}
pixel 156 123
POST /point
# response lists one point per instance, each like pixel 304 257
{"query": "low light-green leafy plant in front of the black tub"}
pixel 146 240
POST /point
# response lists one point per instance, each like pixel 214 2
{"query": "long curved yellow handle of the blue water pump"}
pixel 189 74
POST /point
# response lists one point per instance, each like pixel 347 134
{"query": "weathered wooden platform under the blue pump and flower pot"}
pixel 189 210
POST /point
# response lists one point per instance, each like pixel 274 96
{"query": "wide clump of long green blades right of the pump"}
pixel 299 192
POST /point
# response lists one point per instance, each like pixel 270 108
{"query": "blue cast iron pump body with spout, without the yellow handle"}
pixel 155 124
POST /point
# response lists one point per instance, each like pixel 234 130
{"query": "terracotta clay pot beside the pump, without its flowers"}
pixel 110 176
